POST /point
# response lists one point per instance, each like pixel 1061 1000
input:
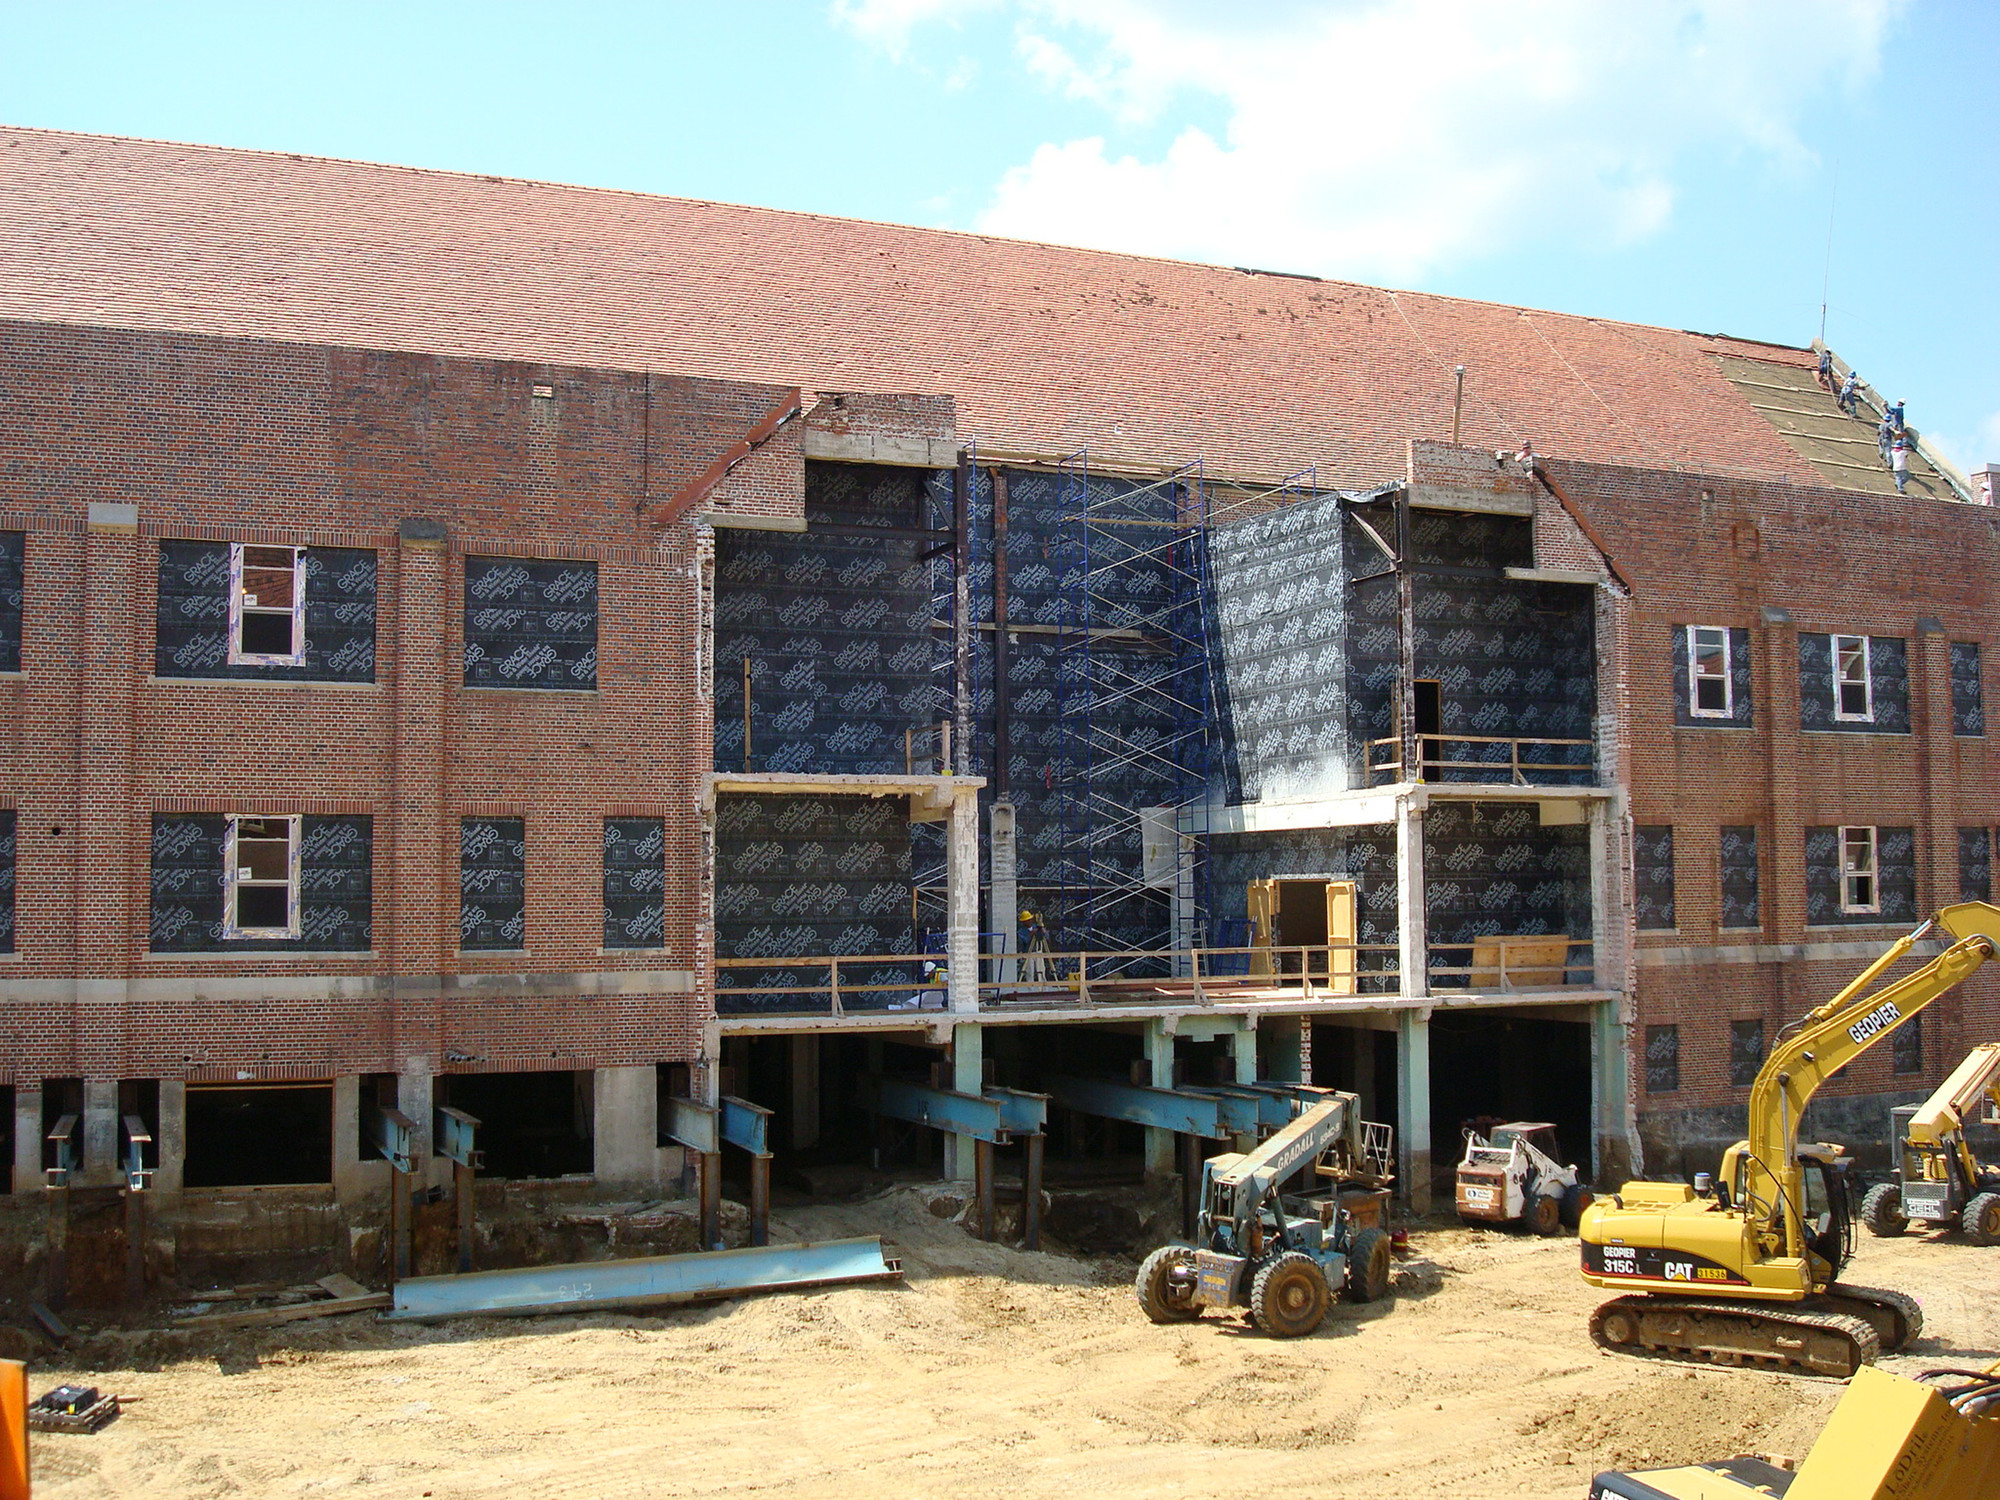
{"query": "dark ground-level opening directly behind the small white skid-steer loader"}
pixel 1489 1067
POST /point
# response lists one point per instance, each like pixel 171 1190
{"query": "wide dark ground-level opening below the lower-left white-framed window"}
pixel 259 1135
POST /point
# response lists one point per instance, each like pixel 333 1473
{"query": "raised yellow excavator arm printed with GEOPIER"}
pixel 1837 1033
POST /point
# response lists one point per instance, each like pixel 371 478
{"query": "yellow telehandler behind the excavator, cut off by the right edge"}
pixel 1939 1181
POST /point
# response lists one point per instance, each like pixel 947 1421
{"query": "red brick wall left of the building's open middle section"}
pixel 425 461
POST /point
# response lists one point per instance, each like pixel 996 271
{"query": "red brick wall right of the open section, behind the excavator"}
pixel 1779 561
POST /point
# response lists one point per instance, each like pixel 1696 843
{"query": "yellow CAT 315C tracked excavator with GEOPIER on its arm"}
pixel 1745 1269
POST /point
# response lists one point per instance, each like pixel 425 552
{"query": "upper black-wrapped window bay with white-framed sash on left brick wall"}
pixel 205 627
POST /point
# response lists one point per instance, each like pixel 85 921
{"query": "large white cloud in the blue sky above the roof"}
pixel 1393 139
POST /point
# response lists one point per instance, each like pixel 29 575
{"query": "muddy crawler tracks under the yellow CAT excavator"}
pixel 1777 1337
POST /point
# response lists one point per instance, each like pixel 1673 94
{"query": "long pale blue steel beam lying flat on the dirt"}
pixel 651 1281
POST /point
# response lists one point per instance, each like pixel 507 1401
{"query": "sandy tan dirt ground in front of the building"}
pixel 989 1373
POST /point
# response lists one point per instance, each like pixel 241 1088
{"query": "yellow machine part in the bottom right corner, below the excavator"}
pixel 1891 1439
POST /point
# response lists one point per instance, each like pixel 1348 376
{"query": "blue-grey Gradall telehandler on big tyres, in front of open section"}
pixel 1283 1261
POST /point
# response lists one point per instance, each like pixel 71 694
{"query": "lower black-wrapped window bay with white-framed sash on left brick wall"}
pixel 197 901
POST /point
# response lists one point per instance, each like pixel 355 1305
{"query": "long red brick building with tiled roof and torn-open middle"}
pixel 407 559
